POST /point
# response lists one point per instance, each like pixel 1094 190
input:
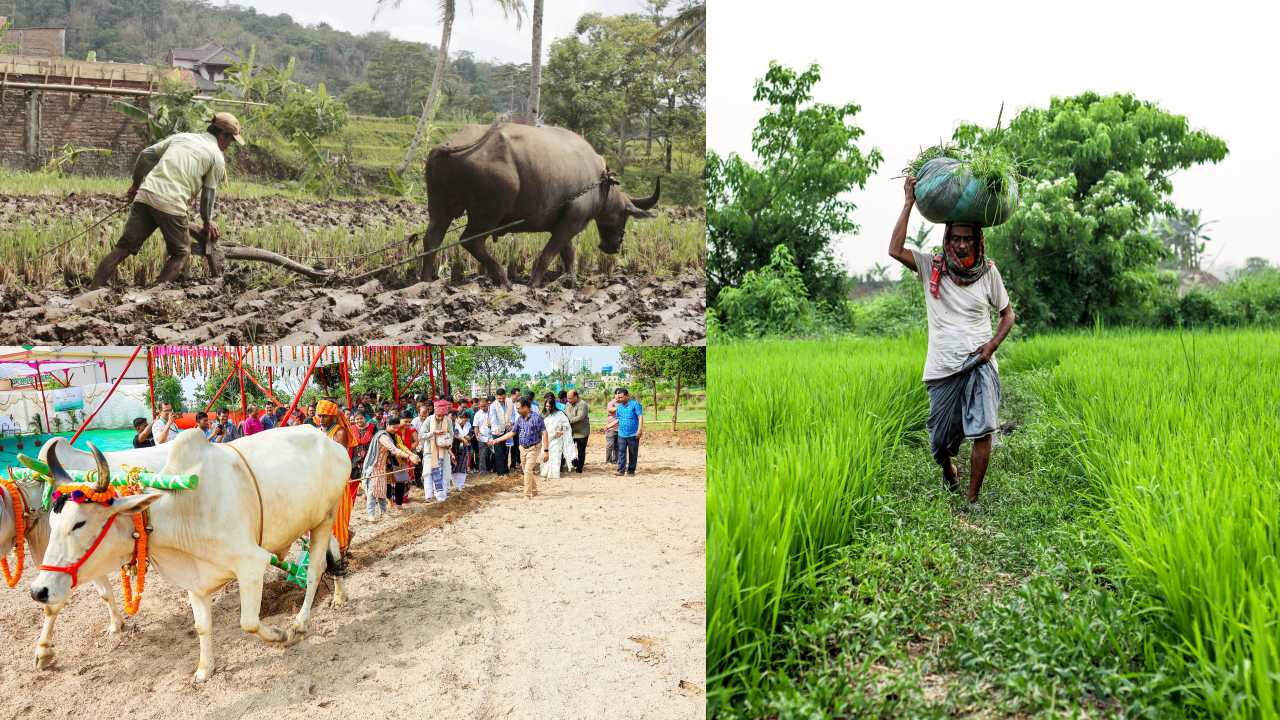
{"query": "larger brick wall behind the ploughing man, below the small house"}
pixel 80 120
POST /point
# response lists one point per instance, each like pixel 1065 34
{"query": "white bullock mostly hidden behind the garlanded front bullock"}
pixel 38 527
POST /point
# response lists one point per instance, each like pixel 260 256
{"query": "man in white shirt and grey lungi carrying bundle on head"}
pixel 962 288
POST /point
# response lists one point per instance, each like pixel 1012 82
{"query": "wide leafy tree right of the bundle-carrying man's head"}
pixel 1098 168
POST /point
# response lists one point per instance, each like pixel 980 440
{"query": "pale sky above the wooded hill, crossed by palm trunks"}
pixel 479 28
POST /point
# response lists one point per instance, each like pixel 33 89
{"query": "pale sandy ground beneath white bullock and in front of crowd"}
pixel 587 603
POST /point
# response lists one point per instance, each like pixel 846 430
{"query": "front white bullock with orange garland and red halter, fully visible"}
pixel 257 496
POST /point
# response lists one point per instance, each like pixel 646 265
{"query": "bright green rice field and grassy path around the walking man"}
pixel 1124 562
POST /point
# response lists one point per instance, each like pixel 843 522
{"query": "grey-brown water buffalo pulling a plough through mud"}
pixel 548 179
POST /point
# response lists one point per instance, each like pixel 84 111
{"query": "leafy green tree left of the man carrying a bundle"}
pixel 796 195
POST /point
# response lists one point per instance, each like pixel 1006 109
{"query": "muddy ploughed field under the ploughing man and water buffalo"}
pixel 610 306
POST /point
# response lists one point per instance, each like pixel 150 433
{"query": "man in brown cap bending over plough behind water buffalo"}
pixel 166 179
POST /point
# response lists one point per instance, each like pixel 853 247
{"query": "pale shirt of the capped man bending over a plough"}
pixel 189 162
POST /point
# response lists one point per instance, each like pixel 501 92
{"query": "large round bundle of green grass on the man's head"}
pixel 963 185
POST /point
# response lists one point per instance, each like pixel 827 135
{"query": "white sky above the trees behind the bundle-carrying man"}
pixel 920 69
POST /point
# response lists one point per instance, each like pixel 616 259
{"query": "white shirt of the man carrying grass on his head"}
pixel 959 318
